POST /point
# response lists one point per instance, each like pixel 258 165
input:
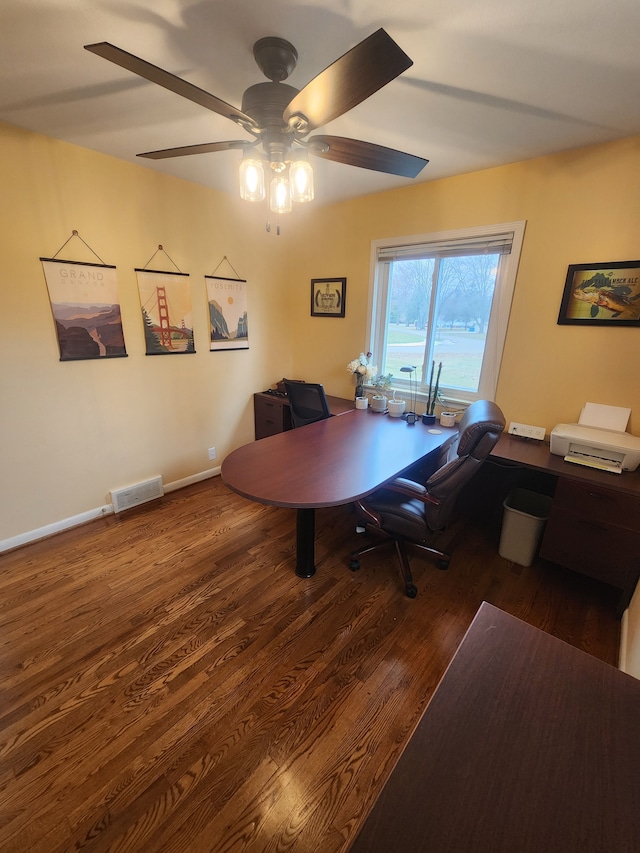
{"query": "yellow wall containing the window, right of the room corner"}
pixel 583 206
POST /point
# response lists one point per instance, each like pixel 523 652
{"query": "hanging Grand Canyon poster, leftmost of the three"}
pixel 86 309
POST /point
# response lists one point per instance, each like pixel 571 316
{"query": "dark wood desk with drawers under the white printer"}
pixel 594 524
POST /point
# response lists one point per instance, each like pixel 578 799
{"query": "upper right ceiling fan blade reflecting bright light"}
pixel 363 70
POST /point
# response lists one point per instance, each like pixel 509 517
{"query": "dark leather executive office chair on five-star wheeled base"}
pixel 407 511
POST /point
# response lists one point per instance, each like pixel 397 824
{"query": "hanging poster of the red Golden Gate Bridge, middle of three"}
pixel 166 312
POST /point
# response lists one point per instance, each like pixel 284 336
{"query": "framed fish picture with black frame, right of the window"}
pixel 602 295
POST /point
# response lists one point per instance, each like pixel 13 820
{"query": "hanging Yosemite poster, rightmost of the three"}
pixel 227 303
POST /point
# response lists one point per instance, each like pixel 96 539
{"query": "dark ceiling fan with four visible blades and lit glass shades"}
pixel 280 117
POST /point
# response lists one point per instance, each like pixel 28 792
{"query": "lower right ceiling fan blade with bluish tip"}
pixel 366 155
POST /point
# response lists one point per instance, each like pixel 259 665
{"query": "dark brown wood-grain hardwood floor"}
pixel 168 683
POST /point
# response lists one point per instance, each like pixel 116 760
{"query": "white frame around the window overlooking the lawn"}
pixel 498 318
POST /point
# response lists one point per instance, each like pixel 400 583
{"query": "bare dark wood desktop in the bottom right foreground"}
pixel 527 746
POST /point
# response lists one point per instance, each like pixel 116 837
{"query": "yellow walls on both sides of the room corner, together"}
pixel 70 432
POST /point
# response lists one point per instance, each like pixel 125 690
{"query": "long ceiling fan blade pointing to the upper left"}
pixel 169 81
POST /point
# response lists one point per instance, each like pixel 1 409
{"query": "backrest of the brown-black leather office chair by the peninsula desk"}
pixel 479 431
